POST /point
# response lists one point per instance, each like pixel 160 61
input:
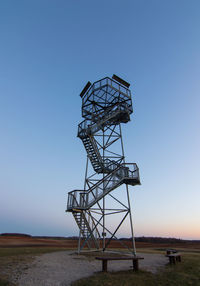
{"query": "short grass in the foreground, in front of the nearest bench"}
pixel 186 273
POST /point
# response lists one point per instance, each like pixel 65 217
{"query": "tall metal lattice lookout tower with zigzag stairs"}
pixel 106 104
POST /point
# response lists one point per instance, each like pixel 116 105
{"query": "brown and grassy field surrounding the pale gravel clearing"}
pixel 16 253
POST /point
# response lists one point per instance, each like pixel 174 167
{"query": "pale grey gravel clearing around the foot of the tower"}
pixel 63 267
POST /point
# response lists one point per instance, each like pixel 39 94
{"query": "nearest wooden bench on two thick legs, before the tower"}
pixel 133 258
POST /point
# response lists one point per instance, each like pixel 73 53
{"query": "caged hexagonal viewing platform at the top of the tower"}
pixel 107 96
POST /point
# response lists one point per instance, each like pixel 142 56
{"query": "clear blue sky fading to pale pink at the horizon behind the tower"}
pixel 48 51
